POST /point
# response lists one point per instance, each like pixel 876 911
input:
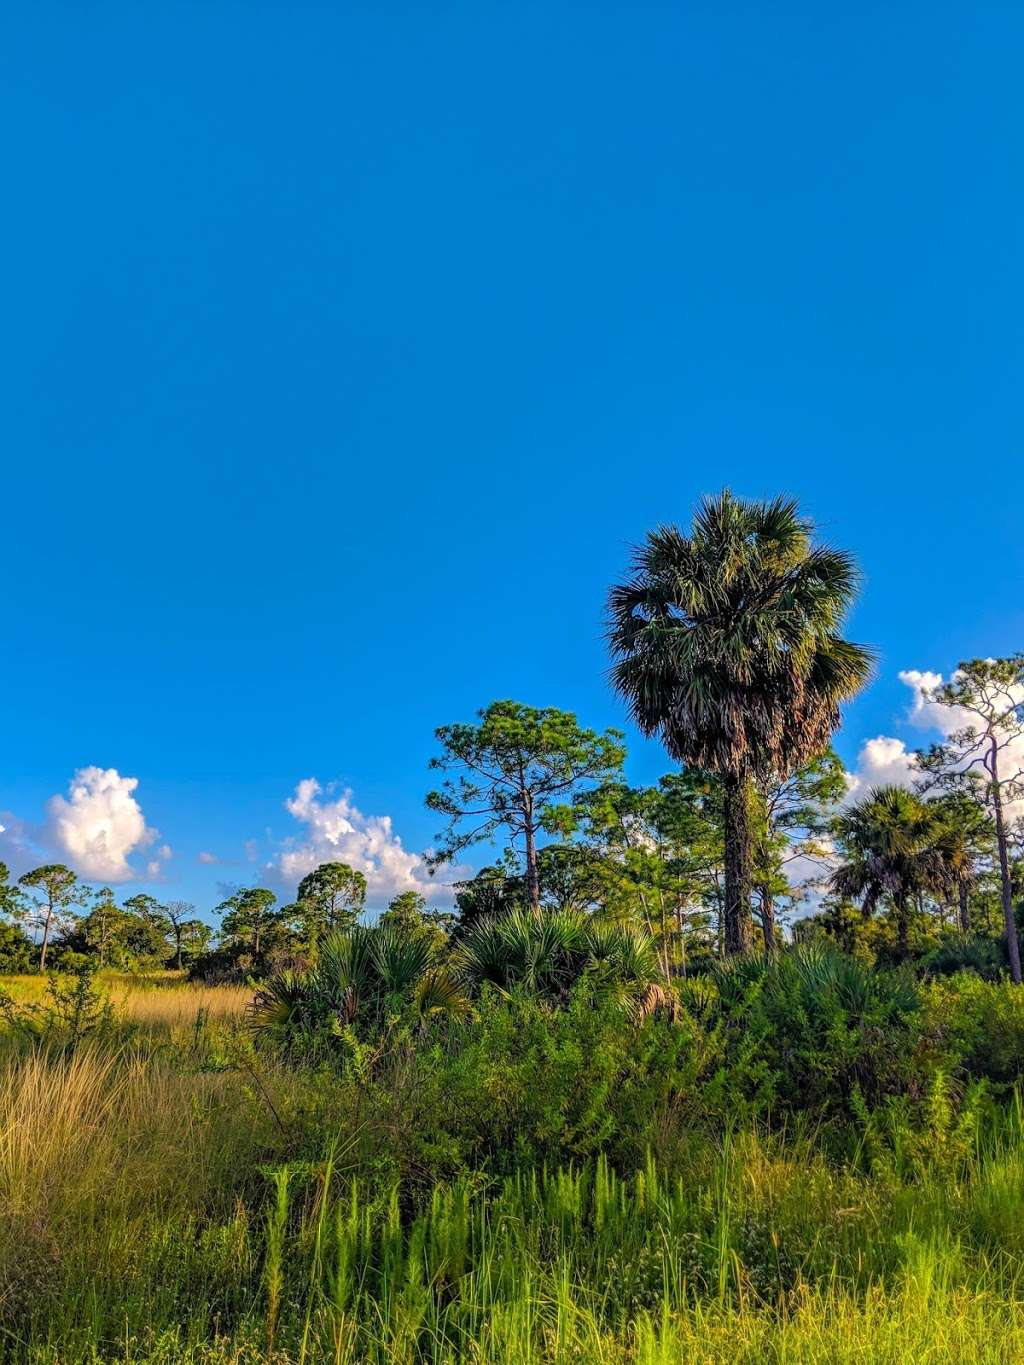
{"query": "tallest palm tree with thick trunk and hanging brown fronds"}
pixel 727 644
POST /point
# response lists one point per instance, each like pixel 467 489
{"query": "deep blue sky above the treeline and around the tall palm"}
pixel 349 350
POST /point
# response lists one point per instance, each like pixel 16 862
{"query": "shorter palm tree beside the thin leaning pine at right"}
pixel 895 847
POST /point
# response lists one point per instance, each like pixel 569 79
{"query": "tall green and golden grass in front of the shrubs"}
pixel 174 1192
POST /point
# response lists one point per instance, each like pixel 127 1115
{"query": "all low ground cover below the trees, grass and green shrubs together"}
pixel 799 1160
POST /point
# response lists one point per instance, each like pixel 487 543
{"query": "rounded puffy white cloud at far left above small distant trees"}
pixel 100 825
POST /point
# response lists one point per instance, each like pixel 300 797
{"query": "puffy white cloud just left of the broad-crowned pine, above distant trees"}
pixel 337 831
